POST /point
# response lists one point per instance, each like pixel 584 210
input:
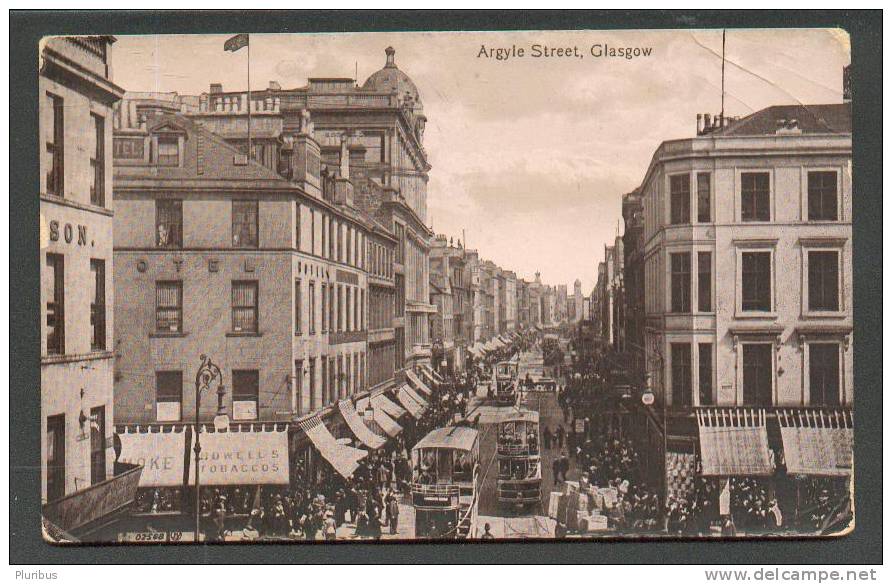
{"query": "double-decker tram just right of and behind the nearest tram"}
pixel 520 464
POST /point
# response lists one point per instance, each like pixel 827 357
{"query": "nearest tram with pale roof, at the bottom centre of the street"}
pixel 444 483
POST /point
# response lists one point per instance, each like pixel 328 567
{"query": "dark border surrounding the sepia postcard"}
pixel 862 546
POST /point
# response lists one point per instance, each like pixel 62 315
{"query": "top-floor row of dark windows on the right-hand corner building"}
pixel 755 197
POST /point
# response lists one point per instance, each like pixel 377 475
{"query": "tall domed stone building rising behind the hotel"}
pixel 378 128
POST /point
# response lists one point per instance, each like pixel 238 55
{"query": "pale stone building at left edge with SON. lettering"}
pixel 77 341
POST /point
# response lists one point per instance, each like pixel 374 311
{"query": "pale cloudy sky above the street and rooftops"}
pixel 530 156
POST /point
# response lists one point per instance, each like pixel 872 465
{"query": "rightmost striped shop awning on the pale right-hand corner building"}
pixel 817 442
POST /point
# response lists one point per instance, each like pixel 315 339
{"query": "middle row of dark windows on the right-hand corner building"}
pixel 823 271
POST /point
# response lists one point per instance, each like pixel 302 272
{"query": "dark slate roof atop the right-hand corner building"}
pixel 834 118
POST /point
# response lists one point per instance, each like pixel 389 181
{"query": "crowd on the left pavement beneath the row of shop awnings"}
pixel 320 504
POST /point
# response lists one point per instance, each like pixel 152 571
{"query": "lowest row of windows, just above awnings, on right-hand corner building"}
pixel 758 374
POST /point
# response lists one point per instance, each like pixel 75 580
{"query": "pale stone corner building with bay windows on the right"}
pixel 748 273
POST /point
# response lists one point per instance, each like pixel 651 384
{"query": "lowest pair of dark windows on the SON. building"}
pixel 56 444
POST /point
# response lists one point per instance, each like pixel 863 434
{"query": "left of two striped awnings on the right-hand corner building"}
pixel 734 442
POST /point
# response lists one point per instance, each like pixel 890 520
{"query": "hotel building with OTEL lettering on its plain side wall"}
pixel 221 256
